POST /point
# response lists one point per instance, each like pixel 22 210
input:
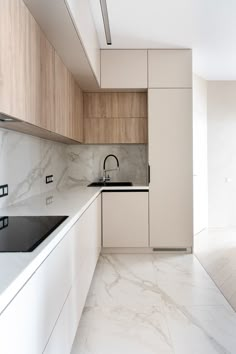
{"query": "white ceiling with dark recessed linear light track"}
pixel 206 26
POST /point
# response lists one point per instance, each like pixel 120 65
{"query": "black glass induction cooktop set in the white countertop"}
pixel 25 233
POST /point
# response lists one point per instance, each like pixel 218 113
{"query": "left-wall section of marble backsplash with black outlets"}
pixel 24 163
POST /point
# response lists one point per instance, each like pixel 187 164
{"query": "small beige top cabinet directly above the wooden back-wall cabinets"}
pixel 124 69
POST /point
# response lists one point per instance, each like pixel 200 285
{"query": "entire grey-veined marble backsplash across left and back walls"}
pixel 25 161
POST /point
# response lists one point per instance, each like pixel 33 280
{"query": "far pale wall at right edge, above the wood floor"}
pixel 222 153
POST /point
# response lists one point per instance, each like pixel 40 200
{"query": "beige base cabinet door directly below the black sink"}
pixel 125 219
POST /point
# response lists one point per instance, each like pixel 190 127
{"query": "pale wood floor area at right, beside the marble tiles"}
pixel 216 251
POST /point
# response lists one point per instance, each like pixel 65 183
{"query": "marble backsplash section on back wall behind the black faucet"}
pixel 86 162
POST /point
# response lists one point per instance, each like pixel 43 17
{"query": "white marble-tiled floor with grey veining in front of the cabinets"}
pixel 154 304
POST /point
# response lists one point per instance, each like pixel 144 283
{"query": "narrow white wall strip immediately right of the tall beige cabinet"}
pixel 200 153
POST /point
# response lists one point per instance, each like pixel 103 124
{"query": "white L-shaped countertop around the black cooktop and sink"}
pixel 17 268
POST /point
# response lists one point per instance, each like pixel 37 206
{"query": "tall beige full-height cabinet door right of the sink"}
pixel 170 159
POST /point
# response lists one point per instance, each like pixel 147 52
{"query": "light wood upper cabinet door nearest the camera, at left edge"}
pixel 19 62
